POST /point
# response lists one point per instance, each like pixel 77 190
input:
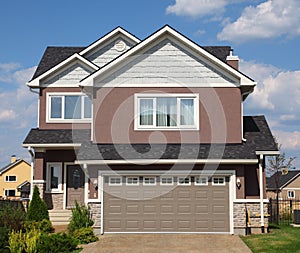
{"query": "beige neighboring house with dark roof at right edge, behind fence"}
pixel 288 185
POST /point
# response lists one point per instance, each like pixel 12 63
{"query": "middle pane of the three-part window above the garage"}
pixel 166 111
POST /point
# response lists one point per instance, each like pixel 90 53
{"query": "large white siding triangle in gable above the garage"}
pixel 167 63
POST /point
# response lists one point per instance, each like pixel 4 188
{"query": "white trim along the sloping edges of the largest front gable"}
pixel 171 33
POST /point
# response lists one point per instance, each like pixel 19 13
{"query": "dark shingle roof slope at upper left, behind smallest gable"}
pixel 53 56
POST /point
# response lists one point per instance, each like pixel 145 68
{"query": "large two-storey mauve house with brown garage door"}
pixel 150 134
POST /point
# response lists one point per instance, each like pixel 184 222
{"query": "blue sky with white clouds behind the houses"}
pixel 265 35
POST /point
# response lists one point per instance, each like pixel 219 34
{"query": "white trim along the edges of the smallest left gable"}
pixel 36 82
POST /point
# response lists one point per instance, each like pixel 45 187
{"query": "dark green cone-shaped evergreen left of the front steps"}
pixel 37 210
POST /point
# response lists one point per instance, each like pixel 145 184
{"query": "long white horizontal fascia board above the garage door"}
pixel 168 161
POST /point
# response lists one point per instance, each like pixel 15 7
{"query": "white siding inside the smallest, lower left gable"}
pixel 68 77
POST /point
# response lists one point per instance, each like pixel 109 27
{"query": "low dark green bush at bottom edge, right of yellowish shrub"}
pixel 56 243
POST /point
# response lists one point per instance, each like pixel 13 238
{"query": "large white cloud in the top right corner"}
pixel 269 19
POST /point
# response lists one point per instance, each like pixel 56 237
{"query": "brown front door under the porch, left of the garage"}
pixel 75 185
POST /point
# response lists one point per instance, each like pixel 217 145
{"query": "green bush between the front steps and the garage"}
pixel 80 218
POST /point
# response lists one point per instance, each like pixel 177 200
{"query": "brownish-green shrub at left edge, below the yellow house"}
pixel 12 217
